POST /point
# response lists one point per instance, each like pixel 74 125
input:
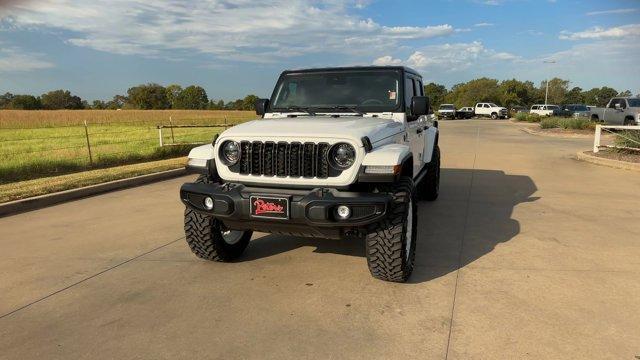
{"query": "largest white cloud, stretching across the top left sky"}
pixel 245 30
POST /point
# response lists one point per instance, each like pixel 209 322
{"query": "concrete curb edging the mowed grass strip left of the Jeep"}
pixel 38 202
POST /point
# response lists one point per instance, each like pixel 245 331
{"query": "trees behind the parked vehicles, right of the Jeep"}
pixel 509 93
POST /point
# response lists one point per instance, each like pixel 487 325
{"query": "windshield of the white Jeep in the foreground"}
pixel 372 91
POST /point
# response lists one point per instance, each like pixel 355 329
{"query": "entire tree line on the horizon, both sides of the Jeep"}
pixel 507 93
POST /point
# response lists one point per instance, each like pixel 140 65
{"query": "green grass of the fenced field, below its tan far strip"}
pixel 39 152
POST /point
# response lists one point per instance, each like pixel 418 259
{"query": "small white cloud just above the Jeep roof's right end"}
pixel 451 57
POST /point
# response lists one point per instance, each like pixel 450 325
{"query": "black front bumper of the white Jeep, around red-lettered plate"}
pixel 311 212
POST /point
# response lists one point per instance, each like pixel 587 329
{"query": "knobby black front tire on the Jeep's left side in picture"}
pixel 209 239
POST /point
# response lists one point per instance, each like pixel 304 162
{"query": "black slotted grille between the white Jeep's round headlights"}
pixel 284 159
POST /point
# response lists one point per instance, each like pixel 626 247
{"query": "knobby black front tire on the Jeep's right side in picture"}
pixel 391 243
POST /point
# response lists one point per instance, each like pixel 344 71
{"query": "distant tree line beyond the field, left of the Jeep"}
pixel 143 97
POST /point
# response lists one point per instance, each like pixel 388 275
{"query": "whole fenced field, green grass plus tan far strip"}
pixel 35 144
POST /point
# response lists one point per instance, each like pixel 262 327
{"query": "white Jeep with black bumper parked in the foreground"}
pixel 340 153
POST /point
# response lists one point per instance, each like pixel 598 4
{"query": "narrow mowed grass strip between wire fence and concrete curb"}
pixel 42 186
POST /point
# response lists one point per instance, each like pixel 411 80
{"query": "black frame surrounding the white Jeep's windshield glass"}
pixel 400 107
